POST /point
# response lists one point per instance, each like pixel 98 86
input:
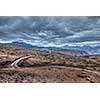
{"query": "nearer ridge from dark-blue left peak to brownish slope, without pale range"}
pixel 53 49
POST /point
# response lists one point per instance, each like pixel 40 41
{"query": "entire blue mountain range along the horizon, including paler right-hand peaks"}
pixel 69 50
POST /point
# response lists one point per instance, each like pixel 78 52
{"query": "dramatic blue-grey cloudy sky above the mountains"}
pixel 51 31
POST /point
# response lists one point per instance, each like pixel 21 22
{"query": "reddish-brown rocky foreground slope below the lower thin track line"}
pixel 49 74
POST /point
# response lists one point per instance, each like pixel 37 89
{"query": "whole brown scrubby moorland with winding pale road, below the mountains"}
pixel 23 65
